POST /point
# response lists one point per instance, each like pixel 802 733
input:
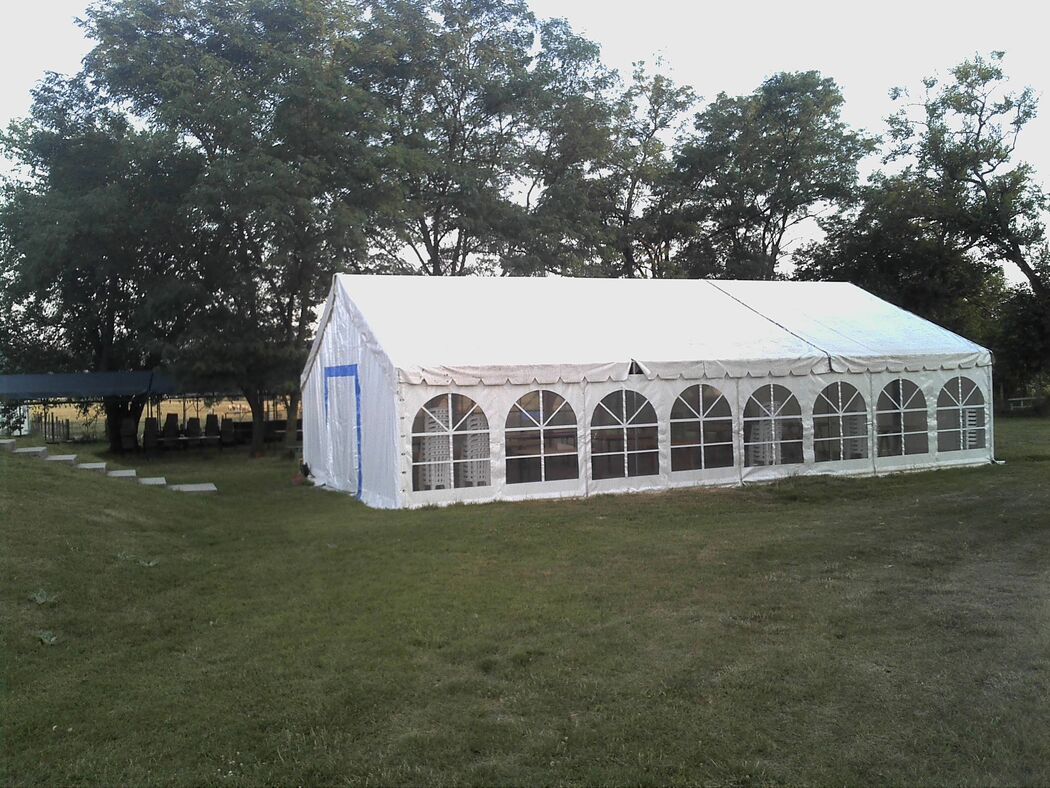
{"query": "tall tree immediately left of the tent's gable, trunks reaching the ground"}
pixel 289 178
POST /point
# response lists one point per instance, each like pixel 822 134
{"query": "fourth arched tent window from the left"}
pixel 702 430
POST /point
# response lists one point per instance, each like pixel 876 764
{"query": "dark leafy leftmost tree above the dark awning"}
pixel 96 257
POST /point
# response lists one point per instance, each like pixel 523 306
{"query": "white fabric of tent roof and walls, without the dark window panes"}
pixel 389 345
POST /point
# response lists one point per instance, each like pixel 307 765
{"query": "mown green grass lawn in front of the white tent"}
pixel 816 631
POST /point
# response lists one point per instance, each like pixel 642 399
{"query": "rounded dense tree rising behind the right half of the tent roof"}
pixel 762 164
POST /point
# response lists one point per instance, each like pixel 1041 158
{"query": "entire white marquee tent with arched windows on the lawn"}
pixel 430 390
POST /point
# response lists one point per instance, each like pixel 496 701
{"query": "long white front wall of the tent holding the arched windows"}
pixel 918 436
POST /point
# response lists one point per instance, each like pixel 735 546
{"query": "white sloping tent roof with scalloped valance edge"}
pixel 469 330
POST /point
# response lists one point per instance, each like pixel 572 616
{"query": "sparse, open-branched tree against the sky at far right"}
pixel 958 144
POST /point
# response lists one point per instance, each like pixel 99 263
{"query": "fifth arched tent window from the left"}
pixel 772 428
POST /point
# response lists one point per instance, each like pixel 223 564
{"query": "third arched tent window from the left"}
pixel 624 438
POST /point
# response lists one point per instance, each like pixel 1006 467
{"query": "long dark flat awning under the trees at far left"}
pixel 86 385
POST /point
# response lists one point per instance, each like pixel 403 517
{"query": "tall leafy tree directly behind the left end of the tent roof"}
pixel 488 111
